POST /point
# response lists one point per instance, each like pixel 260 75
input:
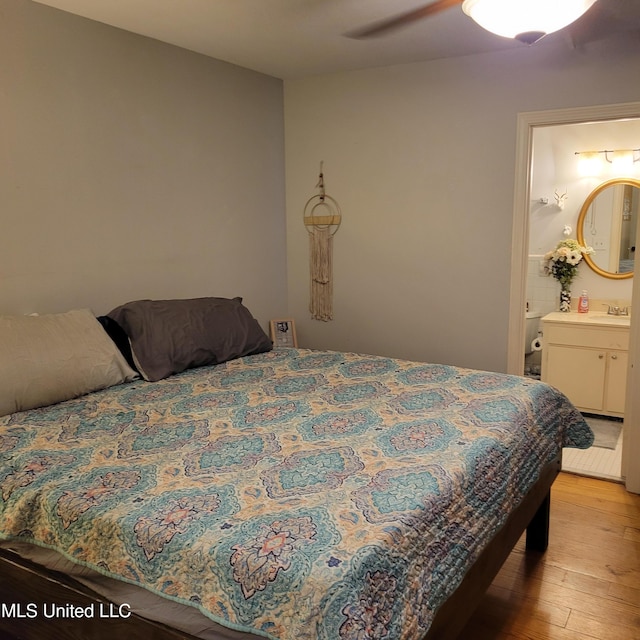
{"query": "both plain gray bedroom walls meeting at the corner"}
pixel 130 169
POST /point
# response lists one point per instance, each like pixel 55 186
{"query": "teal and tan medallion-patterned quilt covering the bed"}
pixel 293 494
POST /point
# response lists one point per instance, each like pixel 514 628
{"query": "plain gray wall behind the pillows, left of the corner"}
pixel 133 169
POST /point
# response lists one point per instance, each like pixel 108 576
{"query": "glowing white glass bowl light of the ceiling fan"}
pixel 525 20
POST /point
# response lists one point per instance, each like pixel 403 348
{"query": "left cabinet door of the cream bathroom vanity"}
pixel 578 373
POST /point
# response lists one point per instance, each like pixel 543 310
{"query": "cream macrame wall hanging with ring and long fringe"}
pixel 322 218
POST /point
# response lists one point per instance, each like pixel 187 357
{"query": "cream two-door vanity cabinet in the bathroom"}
pixel 585 356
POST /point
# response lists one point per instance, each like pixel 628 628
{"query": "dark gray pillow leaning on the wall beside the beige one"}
pixel 170 336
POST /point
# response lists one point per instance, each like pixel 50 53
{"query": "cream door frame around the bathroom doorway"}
pixel 526 123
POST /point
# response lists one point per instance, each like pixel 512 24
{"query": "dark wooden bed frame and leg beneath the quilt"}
pixel 24 582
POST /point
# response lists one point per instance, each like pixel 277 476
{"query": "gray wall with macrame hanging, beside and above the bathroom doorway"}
pixel 420 158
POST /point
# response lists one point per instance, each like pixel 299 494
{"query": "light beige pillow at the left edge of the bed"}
pixel 50 358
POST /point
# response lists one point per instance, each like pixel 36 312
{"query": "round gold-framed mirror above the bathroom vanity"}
pixel 607 223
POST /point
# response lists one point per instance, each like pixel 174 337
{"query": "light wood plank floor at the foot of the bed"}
pixel 586 585
